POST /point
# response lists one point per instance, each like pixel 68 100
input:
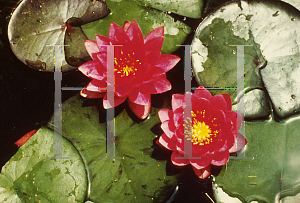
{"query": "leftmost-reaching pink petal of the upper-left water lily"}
pixel 91 69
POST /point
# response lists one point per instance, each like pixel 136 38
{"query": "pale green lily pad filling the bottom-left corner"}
pixel 29 176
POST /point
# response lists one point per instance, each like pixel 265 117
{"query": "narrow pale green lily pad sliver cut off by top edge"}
pixel 192 9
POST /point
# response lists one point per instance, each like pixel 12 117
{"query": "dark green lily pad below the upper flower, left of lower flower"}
pixel 136 177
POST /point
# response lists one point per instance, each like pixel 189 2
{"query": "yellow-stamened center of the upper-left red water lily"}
pixel 126 65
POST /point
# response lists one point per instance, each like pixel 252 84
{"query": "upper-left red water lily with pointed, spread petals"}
pixel 139 67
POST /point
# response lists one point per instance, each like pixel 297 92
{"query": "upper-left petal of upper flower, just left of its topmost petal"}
pixel 117 35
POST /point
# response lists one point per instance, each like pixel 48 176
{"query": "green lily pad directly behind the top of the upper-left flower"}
pixel 147 18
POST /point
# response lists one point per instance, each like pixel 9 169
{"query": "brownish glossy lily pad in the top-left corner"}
pixel 36 24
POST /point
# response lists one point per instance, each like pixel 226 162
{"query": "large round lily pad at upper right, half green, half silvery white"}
pixel 271 64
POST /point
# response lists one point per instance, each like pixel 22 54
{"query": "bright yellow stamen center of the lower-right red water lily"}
pixel 200 132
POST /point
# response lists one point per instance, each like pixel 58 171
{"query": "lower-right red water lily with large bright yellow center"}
pixel 212 131
